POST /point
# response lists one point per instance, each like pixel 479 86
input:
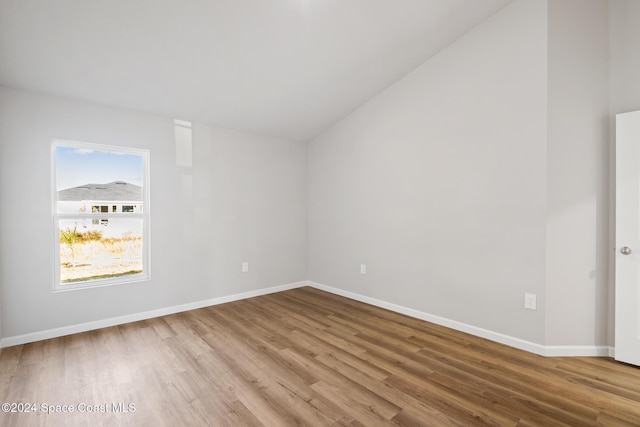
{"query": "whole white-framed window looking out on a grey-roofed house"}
pixel 101 214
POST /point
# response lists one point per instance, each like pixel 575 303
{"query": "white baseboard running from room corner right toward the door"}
pixel 555 351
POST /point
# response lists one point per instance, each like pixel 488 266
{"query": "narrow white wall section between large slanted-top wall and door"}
pixel 577 174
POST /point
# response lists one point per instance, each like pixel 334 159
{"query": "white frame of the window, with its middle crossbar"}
pixel 145 275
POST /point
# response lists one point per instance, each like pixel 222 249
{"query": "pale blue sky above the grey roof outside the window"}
pixel 78 166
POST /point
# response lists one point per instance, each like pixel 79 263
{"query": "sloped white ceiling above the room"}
pixel 284 68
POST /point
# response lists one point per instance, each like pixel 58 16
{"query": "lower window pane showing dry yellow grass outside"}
pixel 102 249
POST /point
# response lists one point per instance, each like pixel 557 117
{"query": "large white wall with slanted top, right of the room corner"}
pixel 439 183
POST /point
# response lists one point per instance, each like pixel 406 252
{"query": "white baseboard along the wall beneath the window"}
pixel 114 321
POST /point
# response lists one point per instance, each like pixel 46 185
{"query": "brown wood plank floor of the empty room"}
pixel 305 357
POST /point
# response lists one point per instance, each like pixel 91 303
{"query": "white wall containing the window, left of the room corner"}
pixel 244 199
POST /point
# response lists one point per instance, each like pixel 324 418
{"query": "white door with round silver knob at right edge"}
pixel 628 238
